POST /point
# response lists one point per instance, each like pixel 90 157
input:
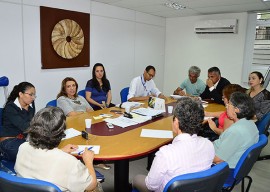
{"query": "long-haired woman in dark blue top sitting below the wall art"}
pixel 98 89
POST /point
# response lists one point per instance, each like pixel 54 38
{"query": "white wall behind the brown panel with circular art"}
pixel 124 41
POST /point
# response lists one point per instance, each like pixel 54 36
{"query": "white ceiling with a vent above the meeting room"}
pixel 193 7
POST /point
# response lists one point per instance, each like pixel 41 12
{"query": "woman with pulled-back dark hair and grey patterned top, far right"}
pixel 260 96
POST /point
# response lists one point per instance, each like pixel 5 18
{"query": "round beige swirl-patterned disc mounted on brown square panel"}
pixel 67 38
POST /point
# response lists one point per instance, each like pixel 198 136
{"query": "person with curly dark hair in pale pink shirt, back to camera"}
pixel 188 152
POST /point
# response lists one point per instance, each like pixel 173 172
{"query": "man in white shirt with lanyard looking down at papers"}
pixel 142 87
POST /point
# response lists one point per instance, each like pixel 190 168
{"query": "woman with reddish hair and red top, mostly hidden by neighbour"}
pixel 223 121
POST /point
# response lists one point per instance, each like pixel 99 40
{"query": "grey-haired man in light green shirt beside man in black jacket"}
pixel 192 85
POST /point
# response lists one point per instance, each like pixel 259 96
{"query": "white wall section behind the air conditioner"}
pixel 184 48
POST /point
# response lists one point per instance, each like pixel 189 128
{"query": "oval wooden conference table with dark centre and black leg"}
pixel 119 145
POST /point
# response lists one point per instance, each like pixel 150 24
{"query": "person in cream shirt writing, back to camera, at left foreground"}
pixel 41 159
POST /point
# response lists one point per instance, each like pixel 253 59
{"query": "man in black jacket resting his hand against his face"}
pixel 215 84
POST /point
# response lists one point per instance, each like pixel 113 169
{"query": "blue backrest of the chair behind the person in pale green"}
pixel 249 158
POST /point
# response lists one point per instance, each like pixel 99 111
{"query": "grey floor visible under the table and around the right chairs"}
pixel 260 174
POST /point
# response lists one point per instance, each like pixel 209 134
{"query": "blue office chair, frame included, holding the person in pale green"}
pixel 244 166
